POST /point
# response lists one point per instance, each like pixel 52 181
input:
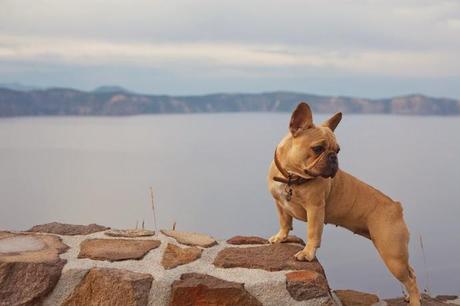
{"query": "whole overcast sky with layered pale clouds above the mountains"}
pixel 363 48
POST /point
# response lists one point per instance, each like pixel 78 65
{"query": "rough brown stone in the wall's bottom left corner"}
pixel 27 283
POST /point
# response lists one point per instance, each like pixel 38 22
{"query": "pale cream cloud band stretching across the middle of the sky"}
pixel 227 55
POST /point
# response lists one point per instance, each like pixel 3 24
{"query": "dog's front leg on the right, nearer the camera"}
pixel 315 225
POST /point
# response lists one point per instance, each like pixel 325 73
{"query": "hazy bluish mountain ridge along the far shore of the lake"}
pixel 116 101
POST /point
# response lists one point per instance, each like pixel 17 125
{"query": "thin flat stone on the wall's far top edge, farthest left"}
pixel 68 229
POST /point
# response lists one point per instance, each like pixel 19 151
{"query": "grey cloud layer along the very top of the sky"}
pixel 343 24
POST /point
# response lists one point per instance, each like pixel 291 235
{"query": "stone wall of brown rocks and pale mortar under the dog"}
pixel 63 264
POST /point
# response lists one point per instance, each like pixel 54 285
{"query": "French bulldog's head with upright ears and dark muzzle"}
pixel 313 149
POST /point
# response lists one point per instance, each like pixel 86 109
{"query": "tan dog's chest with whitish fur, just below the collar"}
pixel 293 205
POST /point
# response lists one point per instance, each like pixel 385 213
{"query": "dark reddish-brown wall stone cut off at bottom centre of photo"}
pixel 202 289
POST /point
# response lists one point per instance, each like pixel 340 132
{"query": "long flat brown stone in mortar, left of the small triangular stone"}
pixel 116 249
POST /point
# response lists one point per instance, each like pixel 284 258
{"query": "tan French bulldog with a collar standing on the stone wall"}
pixel 306 182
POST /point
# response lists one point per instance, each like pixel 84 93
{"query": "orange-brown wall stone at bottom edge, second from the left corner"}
pixel 115 287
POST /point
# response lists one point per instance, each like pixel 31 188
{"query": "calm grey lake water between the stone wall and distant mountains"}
pixel 209 175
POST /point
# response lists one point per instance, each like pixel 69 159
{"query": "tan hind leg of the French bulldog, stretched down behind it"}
pixel 392 245
